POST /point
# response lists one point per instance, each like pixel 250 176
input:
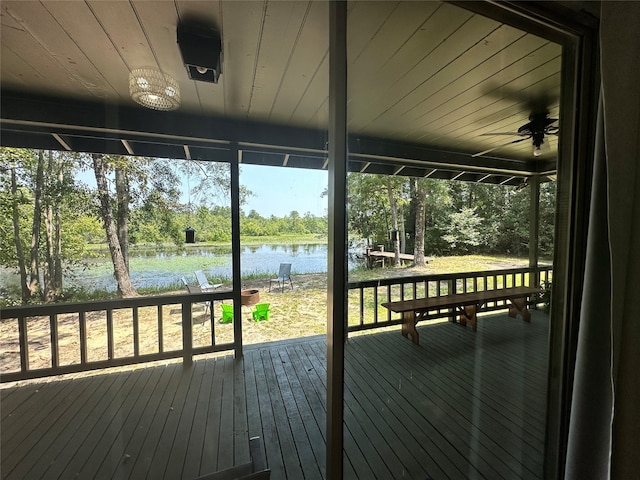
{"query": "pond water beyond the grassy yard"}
pixel 161 268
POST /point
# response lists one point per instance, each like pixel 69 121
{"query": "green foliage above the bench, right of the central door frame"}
pixel 460 217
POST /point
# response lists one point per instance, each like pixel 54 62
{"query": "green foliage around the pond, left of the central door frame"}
pixel 157 215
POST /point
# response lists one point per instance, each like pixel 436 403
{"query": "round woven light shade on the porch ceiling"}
pixel 154 89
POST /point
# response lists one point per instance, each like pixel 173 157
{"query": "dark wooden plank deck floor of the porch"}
pixel 459 406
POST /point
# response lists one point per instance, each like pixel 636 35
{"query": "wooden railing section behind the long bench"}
pixel 365 311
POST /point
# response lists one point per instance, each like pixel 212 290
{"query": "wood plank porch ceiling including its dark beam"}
pixel 426 81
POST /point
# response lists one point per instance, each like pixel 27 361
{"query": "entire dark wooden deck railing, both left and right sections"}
pixel 53 339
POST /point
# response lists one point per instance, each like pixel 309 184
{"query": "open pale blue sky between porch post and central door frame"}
pixel 279 190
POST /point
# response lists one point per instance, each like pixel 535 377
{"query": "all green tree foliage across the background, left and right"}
pixel 460 217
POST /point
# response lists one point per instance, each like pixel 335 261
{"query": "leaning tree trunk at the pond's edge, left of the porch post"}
pixel 125 288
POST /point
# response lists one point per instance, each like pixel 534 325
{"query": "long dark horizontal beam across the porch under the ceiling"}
pixel 53 123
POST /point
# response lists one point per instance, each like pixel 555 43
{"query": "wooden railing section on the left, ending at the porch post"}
pixel 52 339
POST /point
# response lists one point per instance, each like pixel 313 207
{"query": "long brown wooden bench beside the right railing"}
pixel 467 304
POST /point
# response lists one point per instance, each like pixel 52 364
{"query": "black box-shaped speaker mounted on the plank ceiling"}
pixel 201 50
